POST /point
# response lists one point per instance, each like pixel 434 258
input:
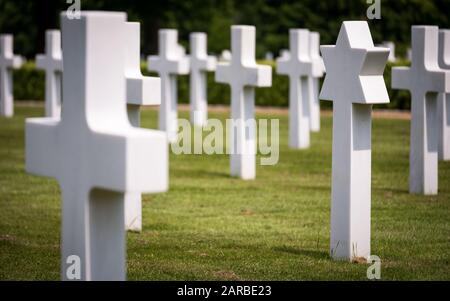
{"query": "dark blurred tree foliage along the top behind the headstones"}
pixel 28 19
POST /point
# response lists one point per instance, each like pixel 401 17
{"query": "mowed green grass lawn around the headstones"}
pixel 210 226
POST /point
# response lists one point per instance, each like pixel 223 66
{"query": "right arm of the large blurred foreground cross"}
pixel 137 147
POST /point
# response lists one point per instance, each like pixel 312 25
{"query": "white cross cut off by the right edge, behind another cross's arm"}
pixel 444 99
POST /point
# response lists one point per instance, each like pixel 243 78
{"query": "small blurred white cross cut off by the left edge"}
pixel 8 61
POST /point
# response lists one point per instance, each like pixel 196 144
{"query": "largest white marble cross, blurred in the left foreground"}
pixel 93 150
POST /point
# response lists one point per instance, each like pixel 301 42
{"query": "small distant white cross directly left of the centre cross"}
pixel 200 63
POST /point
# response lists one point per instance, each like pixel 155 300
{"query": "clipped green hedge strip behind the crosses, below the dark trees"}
pixel 29 85
